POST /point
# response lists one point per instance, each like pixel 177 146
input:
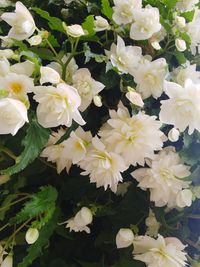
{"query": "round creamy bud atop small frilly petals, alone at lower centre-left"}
pixel 83 217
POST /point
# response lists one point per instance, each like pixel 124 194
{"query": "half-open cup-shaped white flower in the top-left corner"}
pixel 21 21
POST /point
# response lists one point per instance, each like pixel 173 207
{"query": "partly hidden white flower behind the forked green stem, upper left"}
pixel 70 71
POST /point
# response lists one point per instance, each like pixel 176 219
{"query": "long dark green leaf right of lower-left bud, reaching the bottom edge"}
pixel 35 250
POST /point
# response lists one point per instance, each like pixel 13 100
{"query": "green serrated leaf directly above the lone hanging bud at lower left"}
pixel 42 202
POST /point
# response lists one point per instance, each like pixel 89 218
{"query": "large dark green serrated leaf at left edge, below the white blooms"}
pixel 35 139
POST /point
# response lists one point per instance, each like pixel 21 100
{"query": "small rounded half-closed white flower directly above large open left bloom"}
pixel 49 75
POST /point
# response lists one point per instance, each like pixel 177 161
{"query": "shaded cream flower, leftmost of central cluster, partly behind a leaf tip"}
pixel 55 153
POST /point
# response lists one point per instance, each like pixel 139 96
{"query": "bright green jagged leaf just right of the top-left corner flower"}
pixel 53 22
